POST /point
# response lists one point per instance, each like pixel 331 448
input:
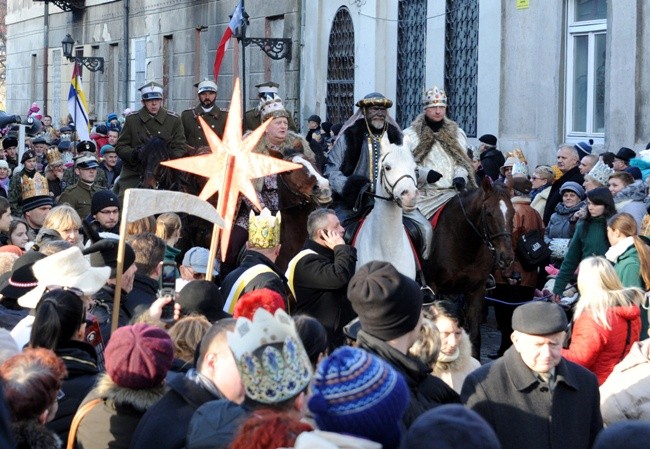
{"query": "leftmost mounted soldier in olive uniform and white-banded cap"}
pixel 152 120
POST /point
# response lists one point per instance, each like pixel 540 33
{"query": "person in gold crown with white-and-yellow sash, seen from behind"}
pixel 257 269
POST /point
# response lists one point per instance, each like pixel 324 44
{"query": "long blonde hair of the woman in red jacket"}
pixel 601 289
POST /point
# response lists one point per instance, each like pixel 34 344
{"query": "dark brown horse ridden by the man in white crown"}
pixel 473 236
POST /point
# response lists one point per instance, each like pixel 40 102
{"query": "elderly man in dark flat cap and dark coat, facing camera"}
pixel 532 397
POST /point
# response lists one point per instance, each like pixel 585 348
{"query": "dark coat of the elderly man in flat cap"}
pixel 525 414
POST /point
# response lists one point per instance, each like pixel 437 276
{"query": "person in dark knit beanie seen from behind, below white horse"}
pixel 389 306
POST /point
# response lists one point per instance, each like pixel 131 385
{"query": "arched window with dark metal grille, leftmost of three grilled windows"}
pixel 340 68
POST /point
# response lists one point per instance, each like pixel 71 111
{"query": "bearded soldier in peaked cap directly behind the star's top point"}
pixel 206 109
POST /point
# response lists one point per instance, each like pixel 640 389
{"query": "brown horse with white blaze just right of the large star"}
pixel 299 193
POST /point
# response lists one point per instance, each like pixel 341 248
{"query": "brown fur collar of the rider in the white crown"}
pixel 447 137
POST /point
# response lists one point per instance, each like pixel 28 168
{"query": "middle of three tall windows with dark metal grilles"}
pixel 411 59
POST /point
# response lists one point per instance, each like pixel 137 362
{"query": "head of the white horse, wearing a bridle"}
pixel 398 176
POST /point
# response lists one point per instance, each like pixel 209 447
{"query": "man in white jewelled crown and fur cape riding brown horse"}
pixel 438 143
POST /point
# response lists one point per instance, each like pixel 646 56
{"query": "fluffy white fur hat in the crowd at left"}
pixel 67 268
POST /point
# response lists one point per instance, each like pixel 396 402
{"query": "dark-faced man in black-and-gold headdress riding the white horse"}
pixel 355 156
